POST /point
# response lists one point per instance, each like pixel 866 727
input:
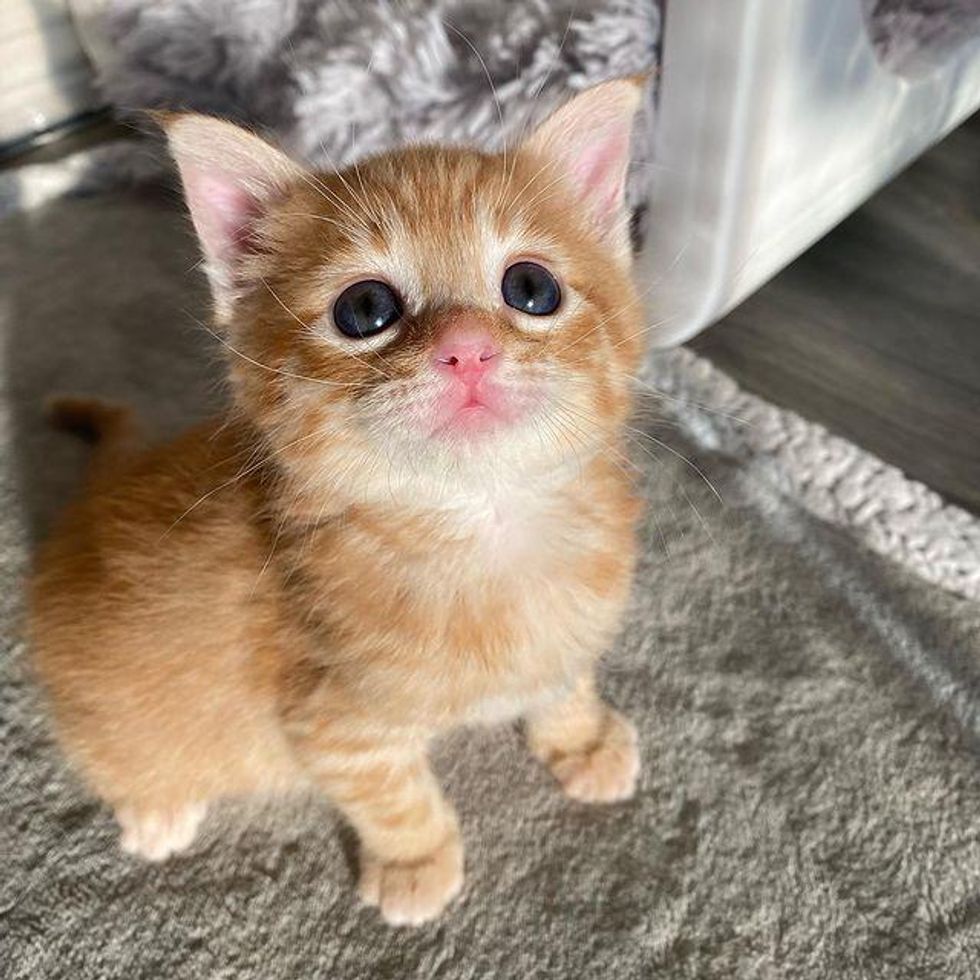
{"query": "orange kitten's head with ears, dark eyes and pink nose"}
pixel 433 314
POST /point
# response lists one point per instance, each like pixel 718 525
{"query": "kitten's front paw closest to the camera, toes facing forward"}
pixel 410 893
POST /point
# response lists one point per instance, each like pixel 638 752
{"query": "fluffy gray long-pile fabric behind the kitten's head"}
pixel 334 80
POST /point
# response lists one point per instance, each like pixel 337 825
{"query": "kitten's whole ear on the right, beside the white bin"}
pixel 588 140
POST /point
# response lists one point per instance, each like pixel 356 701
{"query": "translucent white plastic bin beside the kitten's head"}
pixel 776 120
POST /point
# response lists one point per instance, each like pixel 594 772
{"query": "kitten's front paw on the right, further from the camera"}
pixel 607 771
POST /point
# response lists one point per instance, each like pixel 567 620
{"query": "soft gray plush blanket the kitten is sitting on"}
pixel 808 715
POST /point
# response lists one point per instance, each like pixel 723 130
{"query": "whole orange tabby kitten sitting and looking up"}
pixel 415 517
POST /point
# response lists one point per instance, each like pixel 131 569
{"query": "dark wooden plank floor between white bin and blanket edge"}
pixel 875 331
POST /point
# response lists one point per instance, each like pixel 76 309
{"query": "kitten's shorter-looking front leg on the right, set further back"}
pixel 590 748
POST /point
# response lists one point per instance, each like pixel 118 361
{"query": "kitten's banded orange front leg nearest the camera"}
pixel 411 854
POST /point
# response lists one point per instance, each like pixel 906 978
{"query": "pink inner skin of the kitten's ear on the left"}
pixel 222 211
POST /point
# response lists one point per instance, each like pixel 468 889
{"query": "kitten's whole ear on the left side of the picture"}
pixel 230 178
